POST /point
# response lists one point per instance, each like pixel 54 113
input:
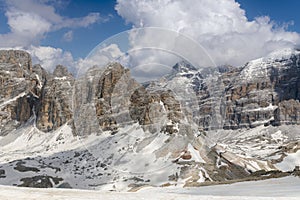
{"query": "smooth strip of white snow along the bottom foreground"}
pixel 283 188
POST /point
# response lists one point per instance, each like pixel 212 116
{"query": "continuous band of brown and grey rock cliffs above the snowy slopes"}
pixel 264 91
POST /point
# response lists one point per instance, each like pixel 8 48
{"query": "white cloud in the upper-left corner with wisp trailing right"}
pixel 30 20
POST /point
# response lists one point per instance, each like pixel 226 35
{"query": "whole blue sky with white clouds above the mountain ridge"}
pixel 66 31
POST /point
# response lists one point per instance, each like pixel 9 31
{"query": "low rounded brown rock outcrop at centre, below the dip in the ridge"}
pixel 156 110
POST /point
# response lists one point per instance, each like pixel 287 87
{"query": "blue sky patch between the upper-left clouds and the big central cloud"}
pixel 85 39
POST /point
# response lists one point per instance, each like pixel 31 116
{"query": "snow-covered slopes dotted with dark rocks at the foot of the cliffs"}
pixel 113 162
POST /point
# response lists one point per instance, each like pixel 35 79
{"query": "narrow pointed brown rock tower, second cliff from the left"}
pixel 55 101
